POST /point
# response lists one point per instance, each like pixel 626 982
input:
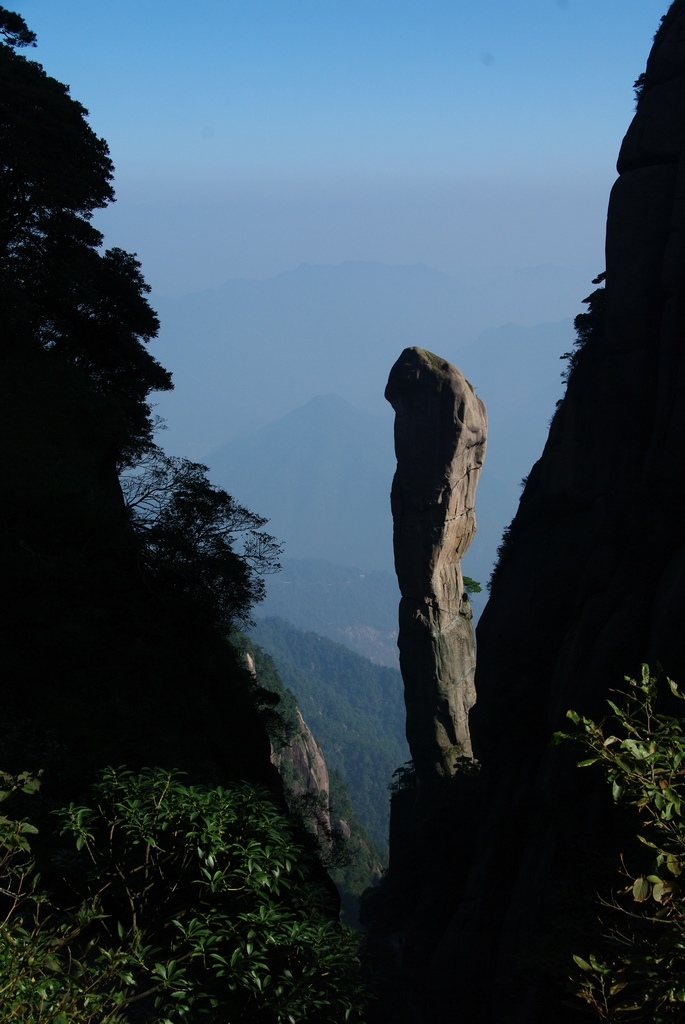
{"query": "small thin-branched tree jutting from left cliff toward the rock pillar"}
pixel 196 539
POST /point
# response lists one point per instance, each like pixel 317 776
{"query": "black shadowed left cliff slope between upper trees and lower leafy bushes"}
pixel 98 668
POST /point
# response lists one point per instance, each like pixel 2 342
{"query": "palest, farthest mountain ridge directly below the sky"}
pixel 251 351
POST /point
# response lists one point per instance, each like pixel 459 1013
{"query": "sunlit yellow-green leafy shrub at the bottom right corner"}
pixel 640 976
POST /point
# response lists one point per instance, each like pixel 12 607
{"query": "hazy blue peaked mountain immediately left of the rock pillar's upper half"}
pixel 322 476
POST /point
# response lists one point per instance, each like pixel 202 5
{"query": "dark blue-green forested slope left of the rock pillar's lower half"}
pixel 355 708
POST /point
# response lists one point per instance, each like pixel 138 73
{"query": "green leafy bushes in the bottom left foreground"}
pixel 193 904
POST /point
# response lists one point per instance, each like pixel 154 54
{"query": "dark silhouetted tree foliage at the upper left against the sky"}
pixel 59 293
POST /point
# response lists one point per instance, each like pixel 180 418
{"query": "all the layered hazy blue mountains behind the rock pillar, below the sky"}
pixel 280 391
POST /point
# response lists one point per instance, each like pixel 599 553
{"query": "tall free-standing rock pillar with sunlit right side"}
pixel 441 430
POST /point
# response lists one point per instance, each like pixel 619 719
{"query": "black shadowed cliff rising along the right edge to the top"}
pixel 591 584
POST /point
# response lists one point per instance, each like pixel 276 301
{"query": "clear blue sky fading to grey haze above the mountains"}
pixel 252 136
